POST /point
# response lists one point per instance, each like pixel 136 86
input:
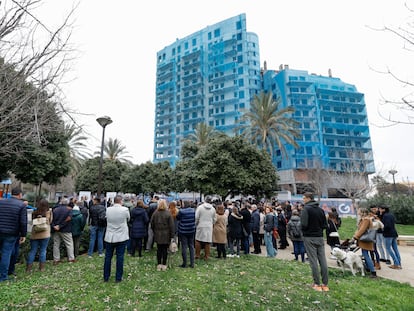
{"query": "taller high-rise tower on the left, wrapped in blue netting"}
pixel 209 76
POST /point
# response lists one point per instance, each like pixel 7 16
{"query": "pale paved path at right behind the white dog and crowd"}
pixel 406 275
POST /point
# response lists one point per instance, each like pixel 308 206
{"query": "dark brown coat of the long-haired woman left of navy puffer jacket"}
pixel 162 223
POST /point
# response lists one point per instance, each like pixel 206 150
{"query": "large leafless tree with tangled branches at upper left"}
pixel 33 63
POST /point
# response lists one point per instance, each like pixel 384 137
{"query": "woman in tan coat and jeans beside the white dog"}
pixel 364 224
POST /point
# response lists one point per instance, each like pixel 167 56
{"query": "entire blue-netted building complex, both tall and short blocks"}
pixel 212 75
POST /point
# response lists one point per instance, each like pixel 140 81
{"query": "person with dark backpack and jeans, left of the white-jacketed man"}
pixel 97 225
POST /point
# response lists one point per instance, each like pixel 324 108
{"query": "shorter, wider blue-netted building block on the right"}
pixel 334 129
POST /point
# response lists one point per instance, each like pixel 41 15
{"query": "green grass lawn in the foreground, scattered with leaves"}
pixel 246 283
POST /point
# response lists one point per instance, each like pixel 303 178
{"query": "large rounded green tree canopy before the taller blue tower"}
pixel 227 165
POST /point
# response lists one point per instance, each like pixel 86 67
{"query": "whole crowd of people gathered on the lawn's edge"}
pixel 129 226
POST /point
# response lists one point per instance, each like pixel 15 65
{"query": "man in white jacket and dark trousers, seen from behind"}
pixel 116 237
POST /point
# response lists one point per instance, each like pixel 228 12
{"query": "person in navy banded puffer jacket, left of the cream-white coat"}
pixel 186 231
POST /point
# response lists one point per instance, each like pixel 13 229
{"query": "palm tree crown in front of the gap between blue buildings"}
pixel 268 126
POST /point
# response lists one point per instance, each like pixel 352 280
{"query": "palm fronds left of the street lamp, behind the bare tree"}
pixel 78 148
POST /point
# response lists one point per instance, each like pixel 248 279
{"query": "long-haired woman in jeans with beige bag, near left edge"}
pixel 40 240
